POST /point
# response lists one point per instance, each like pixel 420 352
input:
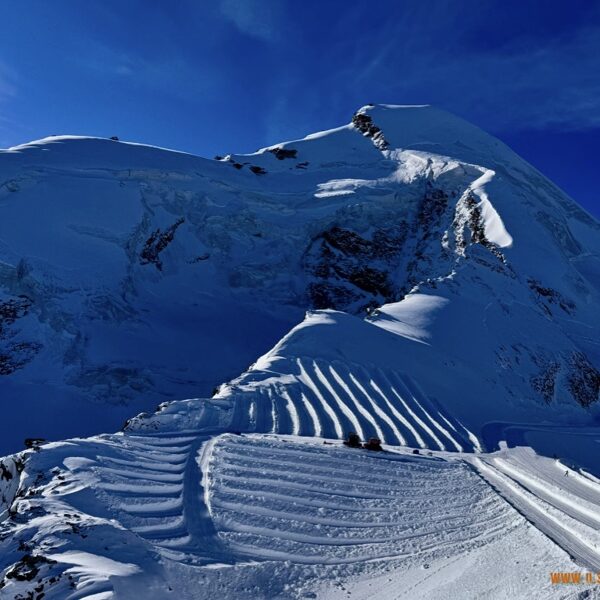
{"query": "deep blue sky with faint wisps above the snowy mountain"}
pixel 224 76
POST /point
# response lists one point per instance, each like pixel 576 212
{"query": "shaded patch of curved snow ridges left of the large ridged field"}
pixel 172 517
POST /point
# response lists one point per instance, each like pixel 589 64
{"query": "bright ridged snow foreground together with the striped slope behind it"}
pixel 192 513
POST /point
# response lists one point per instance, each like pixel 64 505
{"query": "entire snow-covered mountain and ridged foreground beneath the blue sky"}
pixel 452 295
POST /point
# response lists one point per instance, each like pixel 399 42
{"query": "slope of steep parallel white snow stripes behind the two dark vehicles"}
pixel 331 399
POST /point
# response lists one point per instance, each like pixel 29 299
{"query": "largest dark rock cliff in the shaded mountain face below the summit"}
pixel 357 272
